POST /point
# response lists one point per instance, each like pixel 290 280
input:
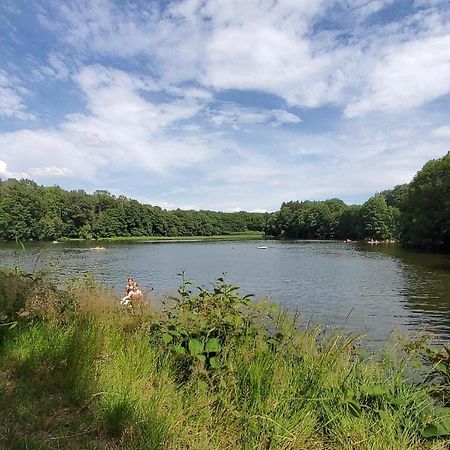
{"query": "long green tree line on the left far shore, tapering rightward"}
pixel 29 211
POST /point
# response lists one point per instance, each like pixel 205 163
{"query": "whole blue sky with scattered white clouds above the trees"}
pixel 224 104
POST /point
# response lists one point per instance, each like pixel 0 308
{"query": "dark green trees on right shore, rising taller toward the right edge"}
pixel 417 214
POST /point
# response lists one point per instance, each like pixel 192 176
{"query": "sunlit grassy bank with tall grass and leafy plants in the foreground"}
pixel 213 371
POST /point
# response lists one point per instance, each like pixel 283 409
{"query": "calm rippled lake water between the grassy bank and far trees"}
pixel 370 290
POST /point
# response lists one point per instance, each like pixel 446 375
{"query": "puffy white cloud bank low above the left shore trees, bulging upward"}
pixel 120 129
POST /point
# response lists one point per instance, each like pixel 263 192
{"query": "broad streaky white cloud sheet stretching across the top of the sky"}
pixel 274 47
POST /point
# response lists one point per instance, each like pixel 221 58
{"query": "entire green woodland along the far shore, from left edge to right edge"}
pixel 417 214
